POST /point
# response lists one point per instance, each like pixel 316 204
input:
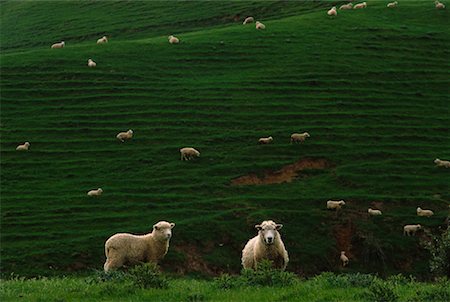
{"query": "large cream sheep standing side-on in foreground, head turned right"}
pixel 128 249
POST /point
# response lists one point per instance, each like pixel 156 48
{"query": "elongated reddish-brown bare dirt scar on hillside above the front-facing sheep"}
pixel 285 174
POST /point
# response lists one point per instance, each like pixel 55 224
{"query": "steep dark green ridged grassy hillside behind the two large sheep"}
pixel 370 86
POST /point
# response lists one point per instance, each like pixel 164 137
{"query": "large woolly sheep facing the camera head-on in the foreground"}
pixel 267 245
